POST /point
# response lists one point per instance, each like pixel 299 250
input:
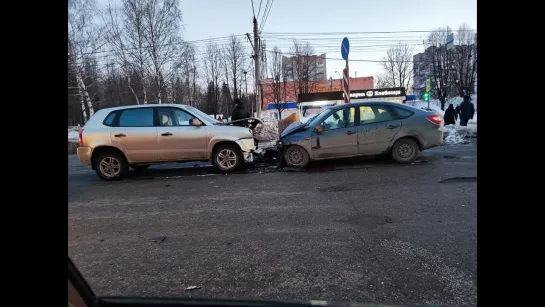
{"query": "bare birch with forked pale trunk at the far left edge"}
pixel 83 40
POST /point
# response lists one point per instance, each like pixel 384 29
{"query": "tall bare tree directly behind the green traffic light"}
pixel 441 64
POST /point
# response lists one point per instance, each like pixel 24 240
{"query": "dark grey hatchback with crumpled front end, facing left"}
pixel 362 129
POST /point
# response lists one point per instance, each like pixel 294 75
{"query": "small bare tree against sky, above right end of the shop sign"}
pixel 398 67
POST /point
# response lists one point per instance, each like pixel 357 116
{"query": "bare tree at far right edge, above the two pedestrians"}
pixel 464 60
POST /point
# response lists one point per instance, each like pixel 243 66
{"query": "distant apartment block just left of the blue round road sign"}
pixel 314 66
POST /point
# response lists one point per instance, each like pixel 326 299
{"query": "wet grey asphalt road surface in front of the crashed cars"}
pixel 367 231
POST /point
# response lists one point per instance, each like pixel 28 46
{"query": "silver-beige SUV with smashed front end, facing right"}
pixel 138 136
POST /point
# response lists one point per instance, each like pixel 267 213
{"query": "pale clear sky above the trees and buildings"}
pixel 204 19
